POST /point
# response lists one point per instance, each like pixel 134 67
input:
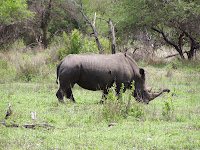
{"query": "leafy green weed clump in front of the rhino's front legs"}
pixel 121 106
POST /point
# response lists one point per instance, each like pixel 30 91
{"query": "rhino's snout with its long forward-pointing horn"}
pixel 145 97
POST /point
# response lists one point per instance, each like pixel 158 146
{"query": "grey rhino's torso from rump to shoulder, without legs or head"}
pixel 95 71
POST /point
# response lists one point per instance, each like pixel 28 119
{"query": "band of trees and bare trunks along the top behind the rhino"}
pixel 153 23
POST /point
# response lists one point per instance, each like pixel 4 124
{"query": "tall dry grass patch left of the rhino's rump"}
pixel 30 66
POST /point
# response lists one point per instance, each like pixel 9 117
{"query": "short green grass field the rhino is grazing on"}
pixel 171 121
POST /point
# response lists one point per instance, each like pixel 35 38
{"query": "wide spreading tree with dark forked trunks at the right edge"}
pixel 177 21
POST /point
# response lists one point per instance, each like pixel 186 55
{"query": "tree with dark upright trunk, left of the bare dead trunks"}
pixel 51 17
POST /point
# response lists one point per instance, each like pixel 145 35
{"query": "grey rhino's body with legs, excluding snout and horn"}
pixel 99 72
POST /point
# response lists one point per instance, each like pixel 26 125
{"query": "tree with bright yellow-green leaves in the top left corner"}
pixel 12 13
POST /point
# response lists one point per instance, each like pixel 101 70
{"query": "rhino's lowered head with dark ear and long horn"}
pixel 141 92
